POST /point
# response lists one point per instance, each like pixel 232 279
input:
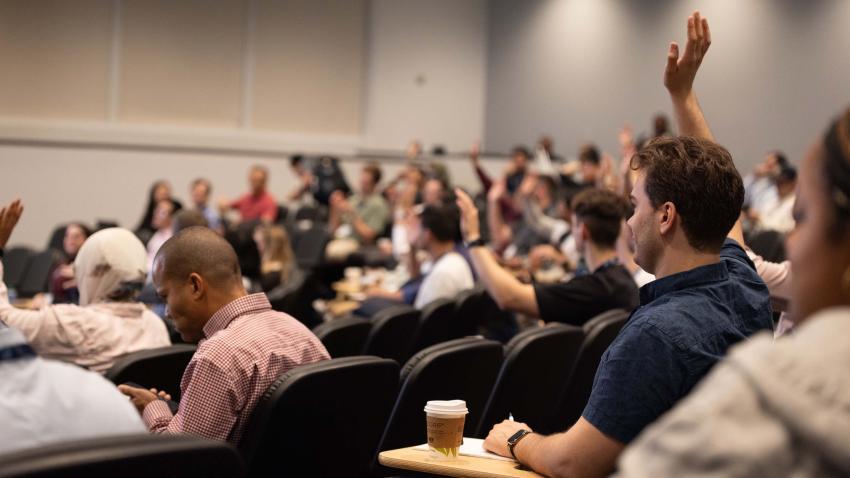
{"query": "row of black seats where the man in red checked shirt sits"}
pixel 358 406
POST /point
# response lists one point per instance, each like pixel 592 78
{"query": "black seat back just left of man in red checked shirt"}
pixel 161 368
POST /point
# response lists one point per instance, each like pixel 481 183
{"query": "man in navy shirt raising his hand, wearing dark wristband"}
pixel 707 296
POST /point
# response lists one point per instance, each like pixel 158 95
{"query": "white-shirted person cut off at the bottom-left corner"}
pixel 45 401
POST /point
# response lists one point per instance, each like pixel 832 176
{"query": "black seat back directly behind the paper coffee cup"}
pixel 459 369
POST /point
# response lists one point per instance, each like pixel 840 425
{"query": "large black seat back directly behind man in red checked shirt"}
pixel 322 419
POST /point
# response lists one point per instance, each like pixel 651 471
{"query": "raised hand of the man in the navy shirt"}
pixel 680 72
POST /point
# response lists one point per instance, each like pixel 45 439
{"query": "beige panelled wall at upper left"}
pixel 279 66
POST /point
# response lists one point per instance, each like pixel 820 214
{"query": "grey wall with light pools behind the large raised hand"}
pixel 776 73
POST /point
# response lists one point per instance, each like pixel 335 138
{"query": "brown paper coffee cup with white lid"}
pixel 445 420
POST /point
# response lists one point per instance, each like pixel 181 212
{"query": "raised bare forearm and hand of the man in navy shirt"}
pixel 679 78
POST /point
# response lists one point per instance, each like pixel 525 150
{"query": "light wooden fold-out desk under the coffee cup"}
pixel 465 466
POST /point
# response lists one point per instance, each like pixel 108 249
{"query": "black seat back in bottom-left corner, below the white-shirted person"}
pixel 128 456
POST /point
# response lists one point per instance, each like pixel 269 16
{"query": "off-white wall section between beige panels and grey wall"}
pixel 426 73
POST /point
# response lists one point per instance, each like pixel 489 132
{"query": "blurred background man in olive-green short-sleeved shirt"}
pixel 362 218
